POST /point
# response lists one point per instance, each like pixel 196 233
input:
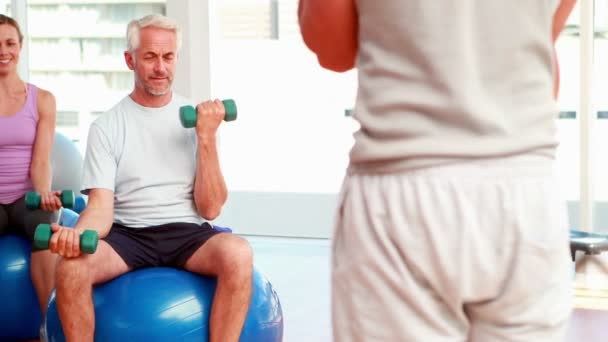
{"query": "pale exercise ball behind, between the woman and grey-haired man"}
pixel 66 163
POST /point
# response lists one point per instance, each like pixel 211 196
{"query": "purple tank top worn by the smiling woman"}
pixel 18 132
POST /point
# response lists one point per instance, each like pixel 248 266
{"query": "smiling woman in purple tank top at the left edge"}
pixel 27 123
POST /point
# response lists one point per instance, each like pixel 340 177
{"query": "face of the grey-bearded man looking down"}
pixel 154 60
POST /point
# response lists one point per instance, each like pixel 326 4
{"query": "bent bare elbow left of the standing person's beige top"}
pixel 330 29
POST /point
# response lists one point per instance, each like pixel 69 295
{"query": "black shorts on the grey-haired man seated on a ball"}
pixel 169 244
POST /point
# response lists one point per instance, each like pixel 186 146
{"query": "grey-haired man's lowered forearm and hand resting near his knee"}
pixel 98 215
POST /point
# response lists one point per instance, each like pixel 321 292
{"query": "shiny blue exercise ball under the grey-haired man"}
pixel 167 304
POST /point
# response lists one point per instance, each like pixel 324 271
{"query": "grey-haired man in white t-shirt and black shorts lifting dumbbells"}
pixel 149 182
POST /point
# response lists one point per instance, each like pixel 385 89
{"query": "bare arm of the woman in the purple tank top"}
pixel 40 166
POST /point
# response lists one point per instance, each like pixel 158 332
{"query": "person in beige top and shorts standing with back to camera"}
pixel 450 225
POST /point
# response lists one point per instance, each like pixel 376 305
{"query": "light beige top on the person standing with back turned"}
pixel 445 81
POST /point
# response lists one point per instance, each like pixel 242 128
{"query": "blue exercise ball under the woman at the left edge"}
pixel 20 315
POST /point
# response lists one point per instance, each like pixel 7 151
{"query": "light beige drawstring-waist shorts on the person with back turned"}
pixel 469 252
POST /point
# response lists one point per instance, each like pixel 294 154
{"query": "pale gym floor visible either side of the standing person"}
pixel 299 272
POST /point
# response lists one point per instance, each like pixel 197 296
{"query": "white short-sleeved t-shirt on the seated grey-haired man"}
pixel 147 159
